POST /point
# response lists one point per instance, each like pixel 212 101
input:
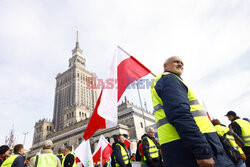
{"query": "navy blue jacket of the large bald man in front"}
pixel 193 144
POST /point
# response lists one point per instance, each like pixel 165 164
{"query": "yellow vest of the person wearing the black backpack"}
pixel 221 130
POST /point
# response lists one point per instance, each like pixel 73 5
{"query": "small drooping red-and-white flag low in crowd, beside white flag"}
pixel 102 151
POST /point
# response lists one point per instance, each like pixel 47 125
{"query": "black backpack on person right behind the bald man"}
pixel 232 153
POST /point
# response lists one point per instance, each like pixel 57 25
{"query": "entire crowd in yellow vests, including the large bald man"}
pixel 186 135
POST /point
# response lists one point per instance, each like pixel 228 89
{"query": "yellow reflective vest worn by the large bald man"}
pixel 167 131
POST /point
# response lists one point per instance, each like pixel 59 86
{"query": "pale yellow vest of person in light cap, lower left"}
pixel 48 159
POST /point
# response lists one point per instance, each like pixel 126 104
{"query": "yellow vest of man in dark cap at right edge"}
pixel 245 130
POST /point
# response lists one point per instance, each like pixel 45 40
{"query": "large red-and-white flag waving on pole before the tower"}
pixel 124 70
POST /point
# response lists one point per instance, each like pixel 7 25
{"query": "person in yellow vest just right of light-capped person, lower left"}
pixel 69 159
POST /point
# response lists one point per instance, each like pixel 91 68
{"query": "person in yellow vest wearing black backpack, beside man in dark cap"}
pixel 229 134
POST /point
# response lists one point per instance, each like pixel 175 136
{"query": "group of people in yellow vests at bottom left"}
pixel 46 158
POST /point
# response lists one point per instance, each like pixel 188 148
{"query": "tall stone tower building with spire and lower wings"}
pixel 73 107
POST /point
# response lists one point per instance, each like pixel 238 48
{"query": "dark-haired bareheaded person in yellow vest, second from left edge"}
pixel 17 159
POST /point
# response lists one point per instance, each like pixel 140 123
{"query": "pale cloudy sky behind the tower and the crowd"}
pixel 36 38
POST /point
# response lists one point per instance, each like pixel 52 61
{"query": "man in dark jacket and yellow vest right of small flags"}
pixel 120 153
